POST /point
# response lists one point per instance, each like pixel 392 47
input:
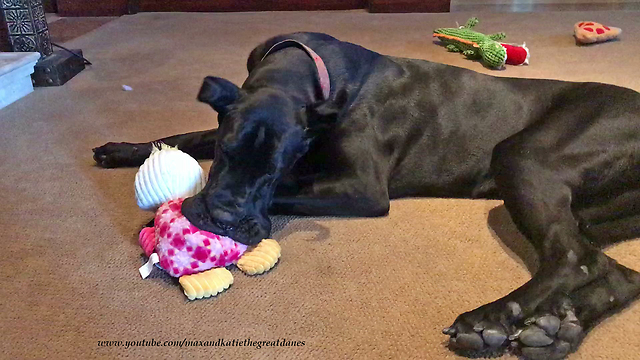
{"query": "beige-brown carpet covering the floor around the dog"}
pixel 350 289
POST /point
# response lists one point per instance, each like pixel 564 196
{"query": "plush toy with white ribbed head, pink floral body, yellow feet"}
pixel 195 256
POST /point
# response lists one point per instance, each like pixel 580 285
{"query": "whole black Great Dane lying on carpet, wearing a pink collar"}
pixel 564 157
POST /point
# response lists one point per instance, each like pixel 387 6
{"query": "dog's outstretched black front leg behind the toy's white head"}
pixel 200 145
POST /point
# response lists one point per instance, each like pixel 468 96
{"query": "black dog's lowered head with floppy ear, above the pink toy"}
pixel 260 136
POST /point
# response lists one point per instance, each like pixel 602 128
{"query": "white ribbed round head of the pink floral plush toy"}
pixel 166 175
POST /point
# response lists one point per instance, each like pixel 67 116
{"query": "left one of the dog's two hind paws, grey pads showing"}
pixel 484 332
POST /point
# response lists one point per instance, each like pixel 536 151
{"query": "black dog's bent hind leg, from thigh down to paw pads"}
pixel 539 172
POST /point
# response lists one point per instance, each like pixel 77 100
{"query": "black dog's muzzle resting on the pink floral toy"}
pixel 247 229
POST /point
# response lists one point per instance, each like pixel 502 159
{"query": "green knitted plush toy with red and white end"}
pixel 475 45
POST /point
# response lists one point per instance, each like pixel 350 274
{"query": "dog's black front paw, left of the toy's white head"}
pixel 111 155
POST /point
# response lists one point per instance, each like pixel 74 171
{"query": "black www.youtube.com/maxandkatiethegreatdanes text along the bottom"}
pixel 258 344
